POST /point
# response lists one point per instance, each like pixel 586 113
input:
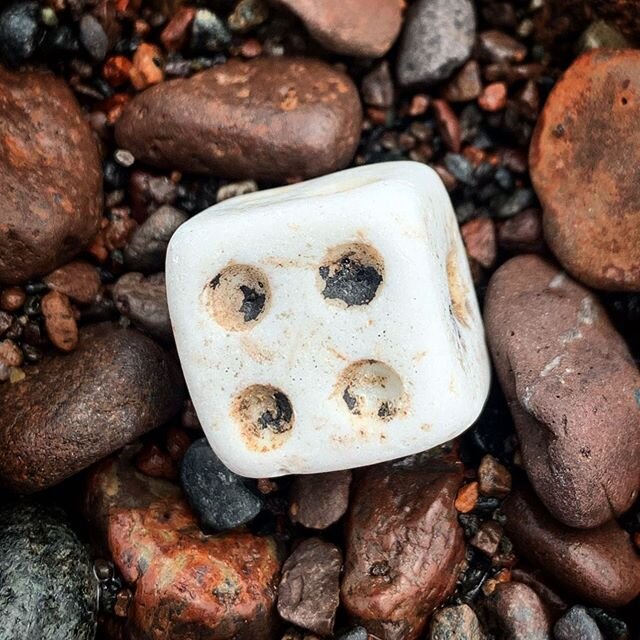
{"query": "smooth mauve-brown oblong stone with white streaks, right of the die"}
pixel 572 388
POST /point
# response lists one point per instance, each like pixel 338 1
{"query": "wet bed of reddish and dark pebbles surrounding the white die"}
pixel 118 121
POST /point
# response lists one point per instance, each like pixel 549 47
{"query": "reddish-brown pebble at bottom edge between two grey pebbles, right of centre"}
pixel 518 612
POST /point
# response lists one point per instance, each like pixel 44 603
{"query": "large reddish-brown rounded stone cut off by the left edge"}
pixel 50 174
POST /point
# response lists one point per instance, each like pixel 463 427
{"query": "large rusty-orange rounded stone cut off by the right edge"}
pixel 588 191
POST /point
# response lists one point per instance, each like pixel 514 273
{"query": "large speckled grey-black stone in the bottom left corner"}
pixel 47 588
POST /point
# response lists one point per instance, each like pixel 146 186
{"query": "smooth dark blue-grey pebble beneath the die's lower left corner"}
pixel 222 499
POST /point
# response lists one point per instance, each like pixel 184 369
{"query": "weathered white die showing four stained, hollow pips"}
pixel 329 324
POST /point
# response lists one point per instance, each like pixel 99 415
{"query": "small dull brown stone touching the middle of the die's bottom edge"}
pixel 318 500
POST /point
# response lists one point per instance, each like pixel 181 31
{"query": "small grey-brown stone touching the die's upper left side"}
pixel 147 246
